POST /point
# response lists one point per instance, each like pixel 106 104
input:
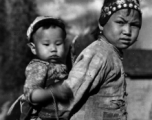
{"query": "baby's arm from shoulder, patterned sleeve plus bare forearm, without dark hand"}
pixel 34 85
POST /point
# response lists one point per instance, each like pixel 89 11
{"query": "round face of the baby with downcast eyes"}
pixel 49 44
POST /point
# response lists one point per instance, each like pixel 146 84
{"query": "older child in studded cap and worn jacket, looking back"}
pixel 104 96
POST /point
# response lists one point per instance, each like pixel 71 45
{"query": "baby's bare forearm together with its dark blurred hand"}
pixel 61 93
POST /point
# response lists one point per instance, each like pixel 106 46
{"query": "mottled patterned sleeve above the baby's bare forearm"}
pixel 35 78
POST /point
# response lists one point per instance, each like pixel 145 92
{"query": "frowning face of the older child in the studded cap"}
pixel 122 28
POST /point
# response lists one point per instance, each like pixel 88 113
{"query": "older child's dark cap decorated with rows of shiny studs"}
pixel 111 6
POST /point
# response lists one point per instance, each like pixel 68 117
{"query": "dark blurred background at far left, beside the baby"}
pixel 15 17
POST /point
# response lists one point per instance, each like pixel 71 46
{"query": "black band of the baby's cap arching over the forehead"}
pixel 45 24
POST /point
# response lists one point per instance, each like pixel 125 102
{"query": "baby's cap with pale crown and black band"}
pixel 42 21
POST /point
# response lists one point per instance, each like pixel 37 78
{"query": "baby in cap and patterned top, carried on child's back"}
pixel 45 73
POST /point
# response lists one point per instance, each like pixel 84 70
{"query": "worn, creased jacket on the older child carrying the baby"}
pixel 98 84
